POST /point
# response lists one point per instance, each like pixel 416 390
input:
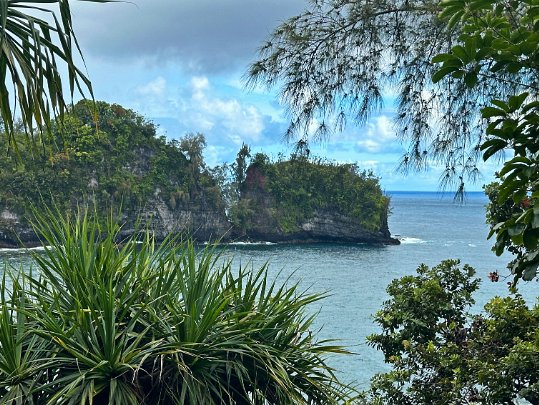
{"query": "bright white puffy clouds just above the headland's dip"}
pixel 194 105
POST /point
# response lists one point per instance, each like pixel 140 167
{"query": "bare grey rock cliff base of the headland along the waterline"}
pixel 211 226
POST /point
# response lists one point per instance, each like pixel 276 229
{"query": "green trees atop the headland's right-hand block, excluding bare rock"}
pixel 300 187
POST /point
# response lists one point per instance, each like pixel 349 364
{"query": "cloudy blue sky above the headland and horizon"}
pixel 182 64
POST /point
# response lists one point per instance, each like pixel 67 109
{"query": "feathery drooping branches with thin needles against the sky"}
pixel 334 63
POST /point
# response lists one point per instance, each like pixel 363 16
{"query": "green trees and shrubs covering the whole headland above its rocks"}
pixel 105 155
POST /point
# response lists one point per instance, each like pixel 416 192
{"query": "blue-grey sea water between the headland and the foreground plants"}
pixel 431 228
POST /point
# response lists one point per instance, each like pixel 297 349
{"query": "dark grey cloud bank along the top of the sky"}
pixel 204 36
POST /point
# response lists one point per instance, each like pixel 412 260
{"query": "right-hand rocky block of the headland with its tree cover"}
pixel 303 199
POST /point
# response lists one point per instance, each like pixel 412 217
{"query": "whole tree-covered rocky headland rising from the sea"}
pixel 103 155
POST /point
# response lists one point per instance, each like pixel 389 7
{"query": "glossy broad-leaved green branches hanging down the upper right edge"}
pixel 500 41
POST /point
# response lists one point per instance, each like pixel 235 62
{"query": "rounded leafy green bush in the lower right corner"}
pixel 442 354
